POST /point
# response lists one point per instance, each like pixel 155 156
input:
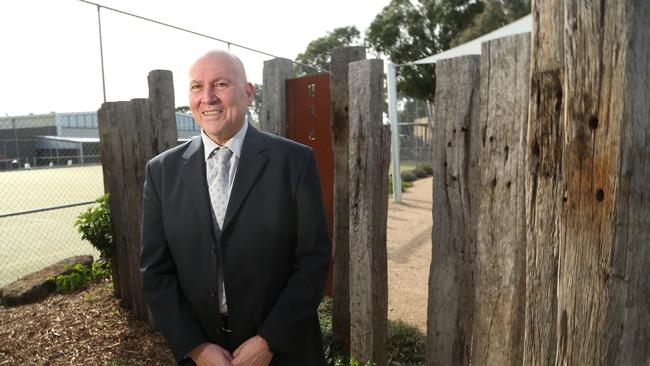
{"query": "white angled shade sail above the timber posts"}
pixel 473 47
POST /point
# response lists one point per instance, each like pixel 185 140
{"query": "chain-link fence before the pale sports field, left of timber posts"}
pixel 49 174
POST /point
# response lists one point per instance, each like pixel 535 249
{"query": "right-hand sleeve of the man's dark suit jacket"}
pixel 294 312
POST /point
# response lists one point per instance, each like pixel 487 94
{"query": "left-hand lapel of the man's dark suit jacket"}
pixel 196 183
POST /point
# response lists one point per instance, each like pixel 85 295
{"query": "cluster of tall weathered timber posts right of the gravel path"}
pixel 541 252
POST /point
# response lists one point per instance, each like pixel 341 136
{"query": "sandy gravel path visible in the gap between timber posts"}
pixel 409 254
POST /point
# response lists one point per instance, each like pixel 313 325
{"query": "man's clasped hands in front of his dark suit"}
pixel 254 352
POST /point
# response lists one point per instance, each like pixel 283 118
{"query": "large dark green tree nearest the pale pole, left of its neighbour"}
pixel 406 31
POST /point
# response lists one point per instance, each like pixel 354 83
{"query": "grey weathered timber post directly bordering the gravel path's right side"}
pixel 456 175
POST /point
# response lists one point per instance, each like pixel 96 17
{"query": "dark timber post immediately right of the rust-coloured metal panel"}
pixel 340 127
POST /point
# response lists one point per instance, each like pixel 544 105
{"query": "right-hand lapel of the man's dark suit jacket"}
pixel 251 164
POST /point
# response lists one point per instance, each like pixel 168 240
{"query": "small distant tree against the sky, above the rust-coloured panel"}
pixel 319 51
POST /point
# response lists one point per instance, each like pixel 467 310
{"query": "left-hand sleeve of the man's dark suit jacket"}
pixel 172 314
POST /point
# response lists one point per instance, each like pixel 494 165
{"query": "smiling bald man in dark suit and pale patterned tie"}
pixel 235 248
